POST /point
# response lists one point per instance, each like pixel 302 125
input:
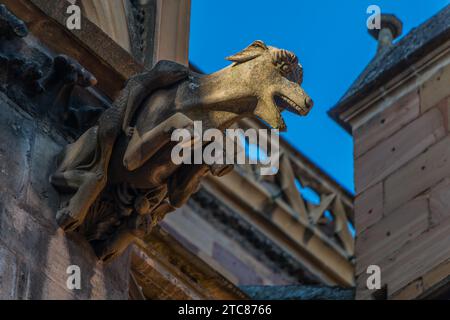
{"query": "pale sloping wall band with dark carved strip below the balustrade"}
pixel 232 246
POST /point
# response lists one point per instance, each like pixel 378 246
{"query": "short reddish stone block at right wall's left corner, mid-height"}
pixel 368 207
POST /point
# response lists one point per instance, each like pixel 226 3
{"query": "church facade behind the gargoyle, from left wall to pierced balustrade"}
pixel 238 237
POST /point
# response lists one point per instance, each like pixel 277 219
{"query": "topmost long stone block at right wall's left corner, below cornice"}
pixel 396 115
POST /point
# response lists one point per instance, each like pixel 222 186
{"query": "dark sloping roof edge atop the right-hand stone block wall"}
pixel 392 61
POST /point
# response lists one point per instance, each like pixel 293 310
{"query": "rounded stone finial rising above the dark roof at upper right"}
pixel 391 28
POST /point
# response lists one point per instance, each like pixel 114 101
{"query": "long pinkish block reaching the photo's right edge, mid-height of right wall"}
pixel 431 166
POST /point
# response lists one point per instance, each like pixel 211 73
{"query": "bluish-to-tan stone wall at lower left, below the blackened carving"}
pixel 34 253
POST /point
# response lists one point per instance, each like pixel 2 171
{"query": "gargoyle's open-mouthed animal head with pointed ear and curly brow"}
pixel 274 76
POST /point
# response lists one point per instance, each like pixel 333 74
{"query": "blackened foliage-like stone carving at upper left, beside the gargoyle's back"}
pixel 42 84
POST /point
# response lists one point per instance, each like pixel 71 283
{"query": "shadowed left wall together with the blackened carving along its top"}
pixel 39 94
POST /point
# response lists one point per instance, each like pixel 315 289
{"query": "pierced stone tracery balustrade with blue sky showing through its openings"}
pixel 330 215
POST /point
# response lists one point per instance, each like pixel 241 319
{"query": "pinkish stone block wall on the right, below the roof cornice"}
pixel 402 179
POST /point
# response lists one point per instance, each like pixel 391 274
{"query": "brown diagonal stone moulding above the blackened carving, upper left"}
pixel 90 45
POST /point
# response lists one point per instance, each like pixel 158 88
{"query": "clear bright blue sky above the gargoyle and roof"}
pixel 332 43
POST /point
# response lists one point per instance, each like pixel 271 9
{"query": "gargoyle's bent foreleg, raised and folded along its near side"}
pixel 143 146
